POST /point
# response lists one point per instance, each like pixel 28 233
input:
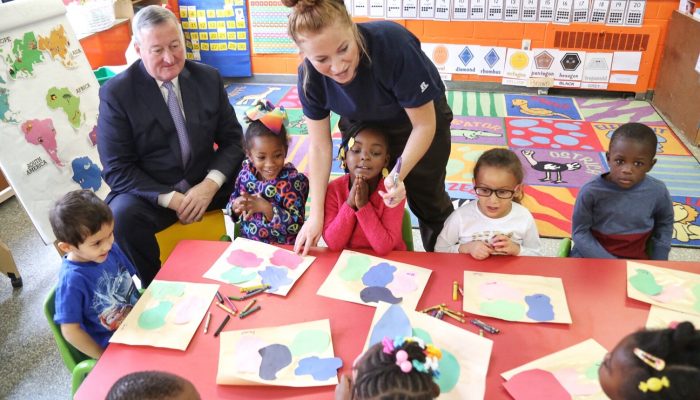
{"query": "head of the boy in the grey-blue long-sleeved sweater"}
pixel 631 154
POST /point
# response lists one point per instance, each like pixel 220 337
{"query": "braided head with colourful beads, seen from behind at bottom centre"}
pixel 403 368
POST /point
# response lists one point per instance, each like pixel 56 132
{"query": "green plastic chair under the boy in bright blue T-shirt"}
pixel 78 364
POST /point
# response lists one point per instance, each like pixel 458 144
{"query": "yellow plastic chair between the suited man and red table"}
pixel 211 227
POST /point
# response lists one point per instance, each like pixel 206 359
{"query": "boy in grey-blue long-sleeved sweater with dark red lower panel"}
pixel 617 213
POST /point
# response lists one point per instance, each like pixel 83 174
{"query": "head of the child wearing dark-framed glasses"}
pixel 498 178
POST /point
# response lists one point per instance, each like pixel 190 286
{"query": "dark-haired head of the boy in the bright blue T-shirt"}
pixel 83 225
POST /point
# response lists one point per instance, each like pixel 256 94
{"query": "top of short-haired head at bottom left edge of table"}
pixel 152 385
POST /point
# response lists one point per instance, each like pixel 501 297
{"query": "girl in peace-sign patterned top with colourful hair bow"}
pixel 269 196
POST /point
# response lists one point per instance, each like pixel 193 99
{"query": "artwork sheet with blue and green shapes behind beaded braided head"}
pixel 465 356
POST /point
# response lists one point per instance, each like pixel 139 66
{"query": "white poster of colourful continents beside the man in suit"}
pixel 48 109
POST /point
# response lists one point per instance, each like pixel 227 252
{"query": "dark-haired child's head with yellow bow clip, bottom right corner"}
pixel 654 364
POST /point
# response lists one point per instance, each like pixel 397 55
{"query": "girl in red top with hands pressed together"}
pixel 355 214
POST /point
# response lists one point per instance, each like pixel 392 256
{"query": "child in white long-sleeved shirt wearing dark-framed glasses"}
pixel 495 224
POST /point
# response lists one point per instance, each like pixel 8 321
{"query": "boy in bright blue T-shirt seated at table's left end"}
pixel 95 290
